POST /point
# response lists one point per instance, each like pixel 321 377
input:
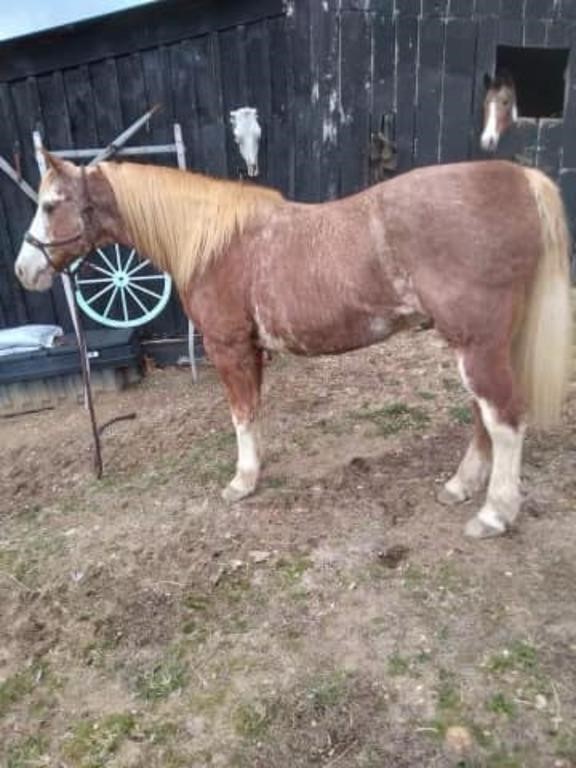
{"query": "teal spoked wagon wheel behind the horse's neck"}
pixel 119 290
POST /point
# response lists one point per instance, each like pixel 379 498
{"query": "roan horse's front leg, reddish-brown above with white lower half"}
pixel 240 369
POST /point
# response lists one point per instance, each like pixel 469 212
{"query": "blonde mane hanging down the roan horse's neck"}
pixel 181 221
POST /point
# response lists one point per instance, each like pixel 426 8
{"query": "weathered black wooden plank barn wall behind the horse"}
pixel 324 75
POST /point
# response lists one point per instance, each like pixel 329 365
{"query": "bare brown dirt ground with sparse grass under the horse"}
pixel 337 618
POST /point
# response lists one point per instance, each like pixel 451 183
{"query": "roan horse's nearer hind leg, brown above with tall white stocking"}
pixel 489 375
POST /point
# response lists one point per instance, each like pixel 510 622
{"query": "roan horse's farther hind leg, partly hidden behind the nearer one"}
pixel 474 470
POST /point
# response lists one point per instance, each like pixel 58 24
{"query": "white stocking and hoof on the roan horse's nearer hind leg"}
pixel 503 499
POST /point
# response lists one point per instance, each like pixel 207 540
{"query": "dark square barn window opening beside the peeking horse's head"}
pixel 540 78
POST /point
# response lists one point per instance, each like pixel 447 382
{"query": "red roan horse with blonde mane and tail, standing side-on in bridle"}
pixel 480 249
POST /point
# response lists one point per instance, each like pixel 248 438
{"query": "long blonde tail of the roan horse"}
pixel 542 349
